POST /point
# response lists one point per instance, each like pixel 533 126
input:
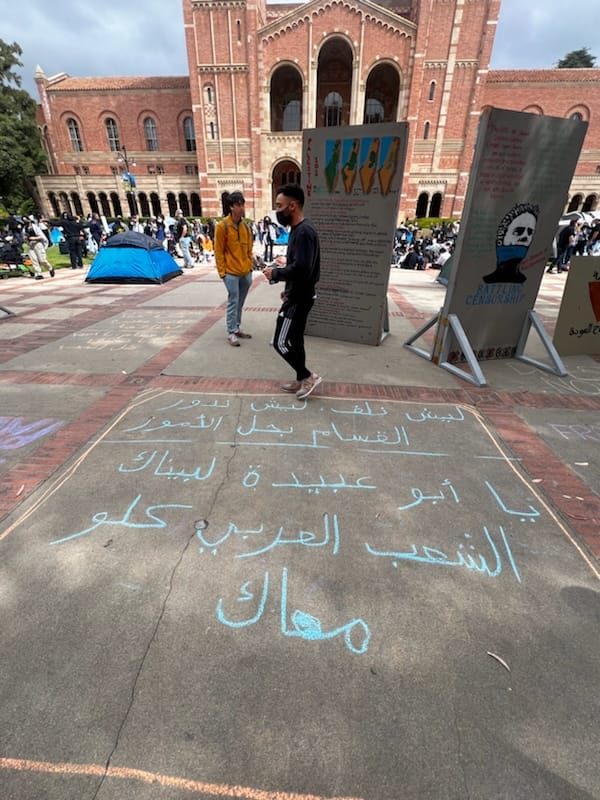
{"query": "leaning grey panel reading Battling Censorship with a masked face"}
pixel 519 182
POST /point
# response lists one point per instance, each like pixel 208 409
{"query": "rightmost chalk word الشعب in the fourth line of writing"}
pixel 432 555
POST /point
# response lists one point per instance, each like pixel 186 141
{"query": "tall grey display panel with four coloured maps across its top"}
pixel 352 178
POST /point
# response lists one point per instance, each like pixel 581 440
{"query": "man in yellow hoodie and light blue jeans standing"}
pixel 233 256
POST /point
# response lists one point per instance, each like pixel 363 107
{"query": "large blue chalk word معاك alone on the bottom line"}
pixel 299 623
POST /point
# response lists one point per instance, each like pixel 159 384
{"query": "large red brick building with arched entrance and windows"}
pixel 260 73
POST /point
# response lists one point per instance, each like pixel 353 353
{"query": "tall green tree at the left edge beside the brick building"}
pixel 21 153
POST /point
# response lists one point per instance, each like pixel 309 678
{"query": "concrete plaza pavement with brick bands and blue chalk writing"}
pixel 210 589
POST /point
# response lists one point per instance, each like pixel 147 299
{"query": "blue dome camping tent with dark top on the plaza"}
pixel 132 257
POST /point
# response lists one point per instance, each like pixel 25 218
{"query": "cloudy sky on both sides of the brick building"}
pixel 116 38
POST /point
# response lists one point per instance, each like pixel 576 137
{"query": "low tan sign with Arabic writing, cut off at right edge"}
pixel 577 329
